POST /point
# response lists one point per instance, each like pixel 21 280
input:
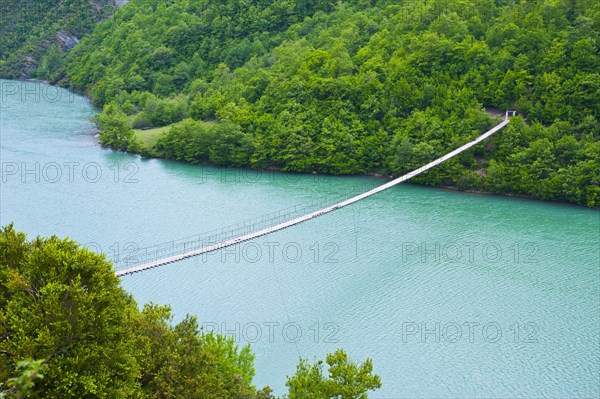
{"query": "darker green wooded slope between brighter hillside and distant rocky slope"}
pixel 160 46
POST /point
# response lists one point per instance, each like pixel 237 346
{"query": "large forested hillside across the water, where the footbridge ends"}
pixel 356 86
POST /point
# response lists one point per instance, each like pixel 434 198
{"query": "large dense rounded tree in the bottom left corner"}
pixel 63 305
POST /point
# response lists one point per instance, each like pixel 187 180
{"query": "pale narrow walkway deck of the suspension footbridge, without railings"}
pixel 304 218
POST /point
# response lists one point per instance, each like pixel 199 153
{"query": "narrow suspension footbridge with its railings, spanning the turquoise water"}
pixel 198 245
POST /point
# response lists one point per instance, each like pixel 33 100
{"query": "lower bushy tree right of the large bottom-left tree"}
pixel 179 361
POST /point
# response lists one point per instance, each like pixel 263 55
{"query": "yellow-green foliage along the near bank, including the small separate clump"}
pixel 68 330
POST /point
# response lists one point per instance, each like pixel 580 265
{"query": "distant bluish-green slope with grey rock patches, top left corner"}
pixel 36 33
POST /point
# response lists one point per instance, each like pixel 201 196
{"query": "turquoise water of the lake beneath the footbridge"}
pixel 451 294
